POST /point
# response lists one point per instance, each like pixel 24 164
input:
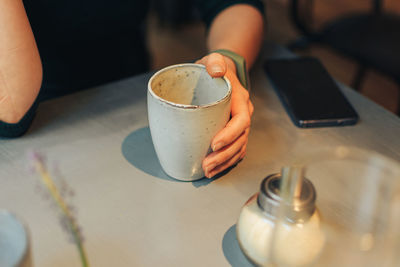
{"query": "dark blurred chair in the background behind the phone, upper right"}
pixel 372 39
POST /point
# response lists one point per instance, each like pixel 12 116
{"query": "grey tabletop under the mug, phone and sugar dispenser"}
pixel 130 212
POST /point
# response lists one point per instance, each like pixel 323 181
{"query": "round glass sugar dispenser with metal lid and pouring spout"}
pixel 280 225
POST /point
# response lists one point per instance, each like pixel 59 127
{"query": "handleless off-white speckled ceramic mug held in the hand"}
pixel 186 108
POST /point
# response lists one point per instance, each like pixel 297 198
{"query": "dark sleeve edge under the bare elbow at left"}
pixel 17 129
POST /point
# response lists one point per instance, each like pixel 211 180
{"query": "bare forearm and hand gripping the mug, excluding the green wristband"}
pixel 238 28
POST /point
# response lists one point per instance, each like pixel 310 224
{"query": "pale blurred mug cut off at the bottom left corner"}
pixel 14 242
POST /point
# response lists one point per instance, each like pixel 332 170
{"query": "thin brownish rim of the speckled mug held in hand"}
pixel 188 106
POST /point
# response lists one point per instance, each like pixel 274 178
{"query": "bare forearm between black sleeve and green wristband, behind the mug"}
pixel 238 28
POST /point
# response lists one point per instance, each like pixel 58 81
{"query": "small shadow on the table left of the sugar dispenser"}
pixel 232 251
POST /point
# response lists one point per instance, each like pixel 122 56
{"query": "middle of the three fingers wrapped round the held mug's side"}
pixel 217 158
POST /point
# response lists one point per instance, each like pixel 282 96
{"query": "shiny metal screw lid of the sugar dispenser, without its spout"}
pixel 298 211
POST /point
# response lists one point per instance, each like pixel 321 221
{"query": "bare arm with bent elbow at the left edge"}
pixel 20 65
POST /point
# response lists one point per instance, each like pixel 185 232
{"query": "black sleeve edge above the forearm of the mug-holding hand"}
pixel 211 8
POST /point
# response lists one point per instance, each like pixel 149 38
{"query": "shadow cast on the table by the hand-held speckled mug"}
pixel 138 150
